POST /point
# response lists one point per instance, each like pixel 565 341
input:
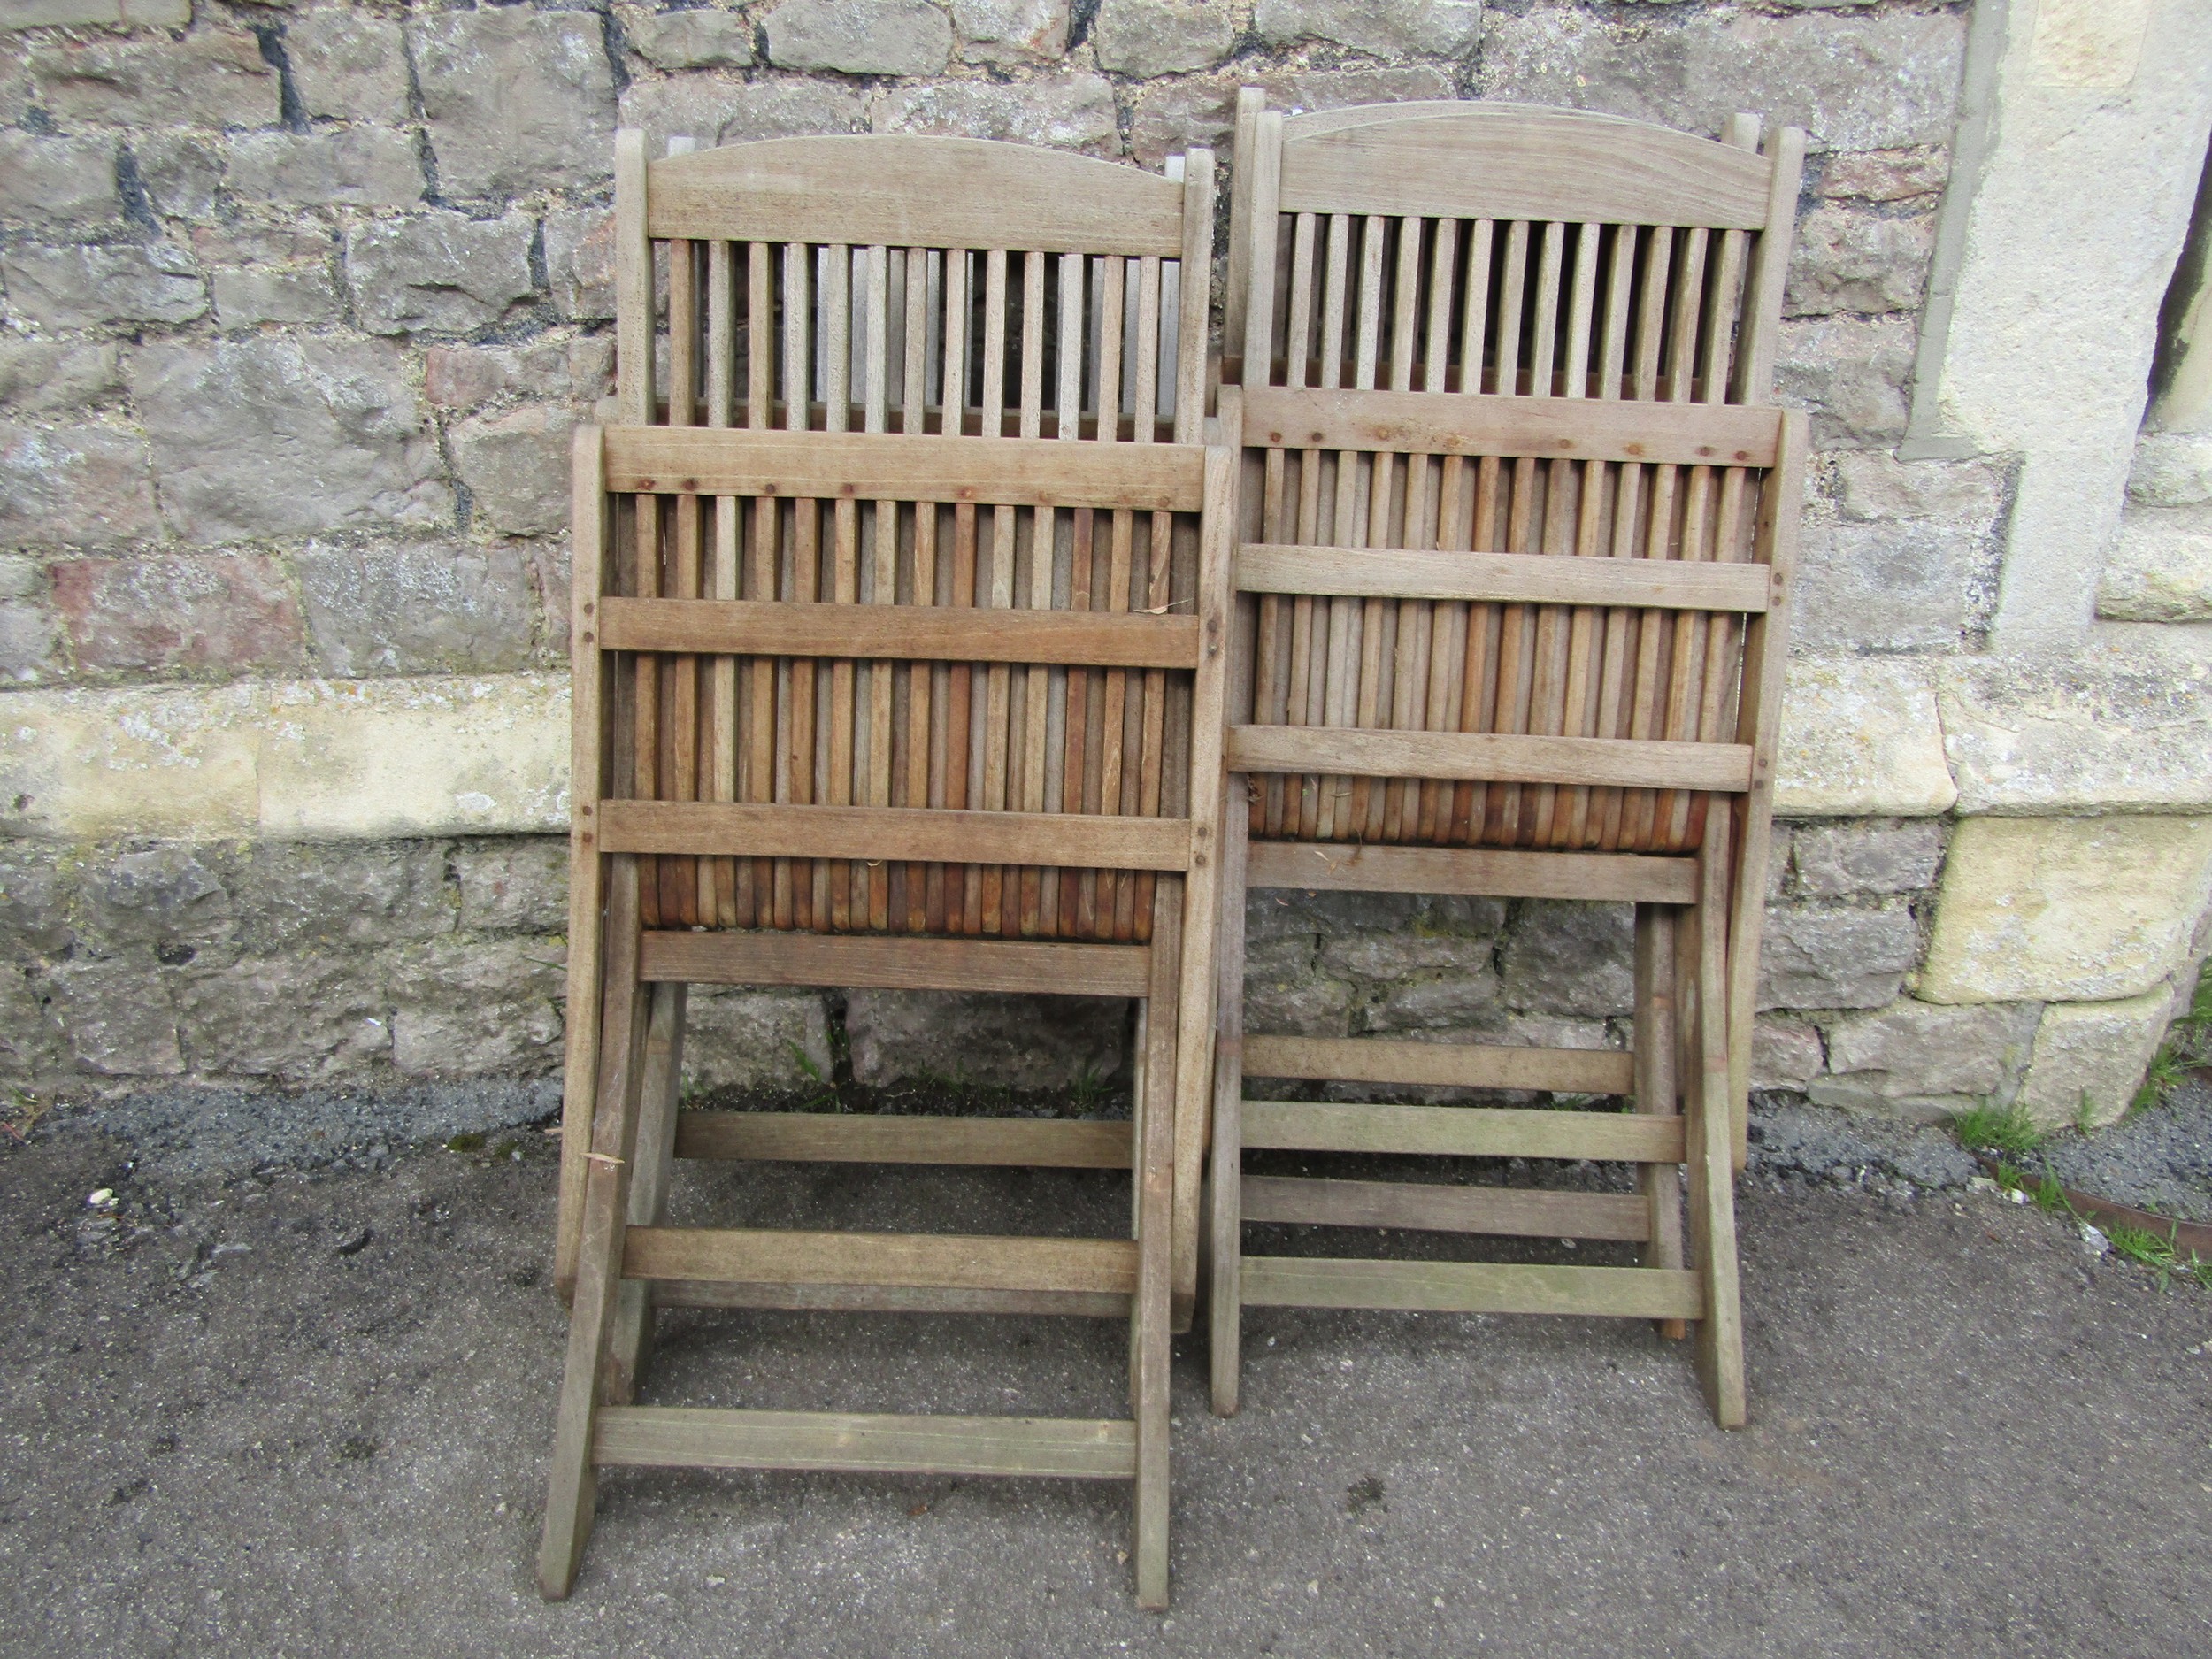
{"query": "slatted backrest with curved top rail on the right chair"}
pixel 1507 249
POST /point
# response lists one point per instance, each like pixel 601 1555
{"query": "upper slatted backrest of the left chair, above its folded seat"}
pixel 912 284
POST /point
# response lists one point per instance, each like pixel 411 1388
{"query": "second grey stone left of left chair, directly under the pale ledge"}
pixel 328 895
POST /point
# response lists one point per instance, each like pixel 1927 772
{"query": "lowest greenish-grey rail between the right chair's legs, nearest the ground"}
pixel 1472 1288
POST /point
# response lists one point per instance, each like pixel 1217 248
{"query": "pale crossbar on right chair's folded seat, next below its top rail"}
pixel 1510 578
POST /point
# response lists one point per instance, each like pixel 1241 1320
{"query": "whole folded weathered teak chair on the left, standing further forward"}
pixel 806 755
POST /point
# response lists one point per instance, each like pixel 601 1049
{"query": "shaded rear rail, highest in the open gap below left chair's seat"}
pixel 824 1138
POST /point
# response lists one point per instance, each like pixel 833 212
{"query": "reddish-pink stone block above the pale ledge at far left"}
pixel 222 614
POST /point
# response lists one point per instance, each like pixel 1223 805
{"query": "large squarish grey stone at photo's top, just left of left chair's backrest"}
pixel 517 101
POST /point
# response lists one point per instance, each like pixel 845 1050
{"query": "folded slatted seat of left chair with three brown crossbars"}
pixel 851 682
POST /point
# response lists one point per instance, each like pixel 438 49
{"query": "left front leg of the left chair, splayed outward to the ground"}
pixel 607 1193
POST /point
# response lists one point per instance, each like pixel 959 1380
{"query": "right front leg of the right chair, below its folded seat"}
pixel 1713 1178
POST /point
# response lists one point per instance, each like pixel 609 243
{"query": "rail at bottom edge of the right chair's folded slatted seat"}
pixel 1490 873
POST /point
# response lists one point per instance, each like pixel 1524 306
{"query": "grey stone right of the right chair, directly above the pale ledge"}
pixel 1892 587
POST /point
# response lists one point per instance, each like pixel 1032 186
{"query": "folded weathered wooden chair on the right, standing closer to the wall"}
pixel 1700 906
